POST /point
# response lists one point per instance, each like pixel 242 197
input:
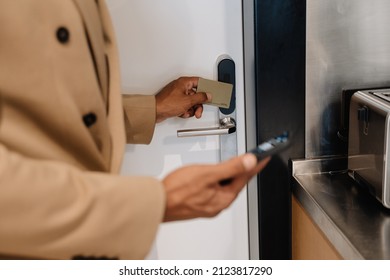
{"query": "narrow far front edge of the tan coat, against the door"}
pixel 102 39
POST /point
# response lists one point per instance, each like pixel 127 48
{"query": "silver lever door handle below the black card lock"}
pixel 227 125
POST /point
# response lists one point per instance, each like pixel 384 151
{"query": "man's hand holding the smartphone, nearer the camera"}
pixel 195 190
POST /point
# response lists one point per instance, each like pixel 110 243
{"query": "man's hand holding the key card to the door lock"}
pixel 180 99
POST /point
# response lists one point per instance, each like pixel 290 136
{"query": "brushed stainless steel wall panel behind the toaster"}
pixel 348 46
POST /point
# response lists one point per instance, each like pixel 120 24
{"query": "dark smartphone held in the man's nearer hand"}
pixel 265 149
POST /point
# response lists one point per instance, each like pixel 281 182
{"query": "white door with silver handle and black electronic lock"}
pixel 158 42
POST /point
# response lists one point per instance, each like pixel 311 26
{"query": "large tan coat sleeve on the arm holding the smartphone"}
pixel 52 210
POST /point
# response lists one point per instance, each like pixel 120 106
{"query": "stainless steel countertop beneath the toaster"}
pixel 355 223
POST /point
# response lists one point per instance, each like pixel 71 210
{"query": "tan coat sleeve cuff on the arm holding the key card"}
pixel 140 118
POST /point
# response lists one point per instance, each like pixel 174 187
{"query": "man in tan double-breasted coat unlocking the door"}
pixel 62 138
